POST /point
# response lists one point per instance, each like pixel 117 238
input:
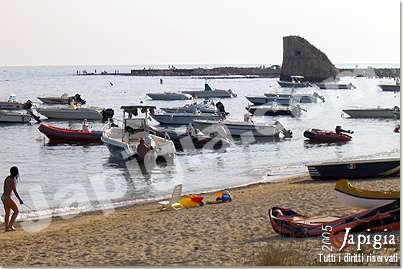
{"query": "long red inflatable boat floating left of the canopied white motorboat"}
pixel 57 134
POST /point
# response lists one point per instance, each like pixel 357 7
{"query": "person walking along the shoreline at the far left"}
pixel 10 184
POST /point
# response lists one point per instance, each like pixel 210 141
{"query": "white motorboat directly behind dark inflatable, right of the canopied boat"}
pixel 185 118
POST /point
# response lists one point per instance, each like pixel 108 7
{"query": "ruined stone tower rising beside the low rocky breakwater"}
pixel 303 59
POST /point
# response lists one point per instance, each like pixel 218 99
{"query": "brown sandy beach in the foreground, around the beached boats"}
pixel 231 234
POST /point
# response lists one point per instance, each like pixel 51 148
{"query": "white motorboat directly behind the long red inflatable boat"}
pixel 80 113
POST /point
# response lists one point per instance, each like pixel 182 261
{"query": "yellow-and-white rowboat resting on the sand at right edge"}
pixel 350 195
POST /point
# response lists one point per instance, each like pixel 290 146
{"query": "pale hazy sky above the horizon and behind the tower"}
pixel 120 32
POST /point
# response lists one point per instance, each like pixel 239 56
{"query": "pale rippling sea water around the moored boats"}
pixel 66 179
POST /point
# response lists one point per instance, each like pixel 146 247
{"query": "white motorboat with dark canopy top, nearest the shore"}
pixel 122 141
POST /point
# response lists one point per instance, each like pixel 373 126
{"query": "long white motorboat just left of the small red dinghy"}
pixel 242 128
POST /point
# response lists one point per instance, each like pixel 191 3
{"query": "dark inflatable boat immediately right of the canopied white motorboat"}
pixel 186 142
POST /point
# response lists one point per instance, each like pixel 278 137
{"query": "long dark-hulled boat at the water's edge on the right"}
pixel 355 169
